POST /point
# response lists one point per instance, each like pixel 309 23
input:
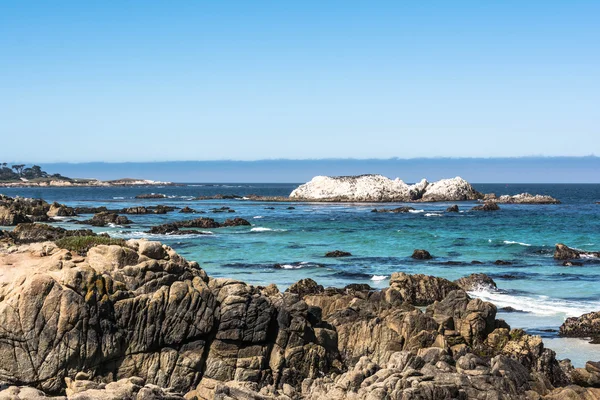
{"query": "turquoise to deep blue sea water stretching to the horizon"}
pixel 382 243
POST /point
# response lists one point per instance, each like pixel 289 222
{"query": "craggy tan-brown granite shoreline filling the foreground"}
pixel 136 320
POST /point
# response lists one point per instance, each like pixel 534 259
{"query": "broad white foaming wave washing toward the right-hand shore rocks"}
pixel 540 305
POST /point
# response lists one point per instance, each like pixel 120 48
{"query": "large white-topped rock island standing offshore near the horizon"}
pixel 377 188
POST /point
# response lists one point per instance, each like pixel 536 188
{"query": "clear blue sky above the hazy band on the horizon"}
pixel 207 80
